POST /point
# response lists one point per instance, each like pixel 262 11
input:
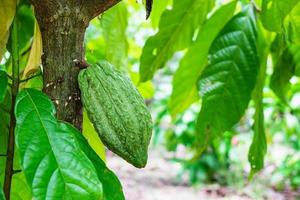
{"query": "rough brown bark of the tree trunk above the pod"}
pixel 63 24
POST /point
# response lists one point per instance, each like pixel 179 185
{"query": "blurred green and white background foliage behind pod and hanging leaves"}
pixel 119 36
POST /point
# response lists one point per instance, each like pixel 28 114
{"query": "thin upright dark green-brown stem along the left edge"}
pixel 9 171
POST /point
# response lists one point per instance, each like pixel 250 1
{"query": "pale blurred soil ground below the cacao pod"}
pixel 158 182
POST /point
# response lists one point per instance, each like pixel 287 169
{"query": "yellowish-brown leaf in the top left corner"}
pixel 7 13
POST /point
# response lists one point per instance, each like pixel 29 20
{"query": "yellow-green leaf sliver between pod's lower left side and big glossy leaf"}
pixel 92 137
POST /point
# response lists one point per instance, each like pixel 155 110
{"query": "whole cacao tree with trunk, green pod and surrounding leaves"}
pixel 48 150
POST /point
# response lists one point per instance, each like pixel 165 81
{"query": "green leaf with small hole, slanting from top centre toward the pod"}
pixel 176 30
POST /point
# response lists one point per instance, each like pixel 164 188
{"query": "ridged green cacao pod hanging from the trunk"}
pixel 117 111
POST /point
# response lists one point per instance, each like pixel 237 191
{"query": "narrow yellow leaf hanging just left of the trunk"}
pixel 34 60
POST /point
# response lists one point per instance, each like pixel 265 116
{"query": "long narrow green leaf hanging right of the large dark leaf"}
pixel 258 147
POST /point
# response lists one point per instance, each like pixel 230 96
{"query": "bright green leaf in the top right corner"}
pixel 274 12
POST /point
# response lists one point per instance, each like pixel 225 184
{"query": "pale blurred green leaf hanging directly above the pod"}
pixel 114 24
